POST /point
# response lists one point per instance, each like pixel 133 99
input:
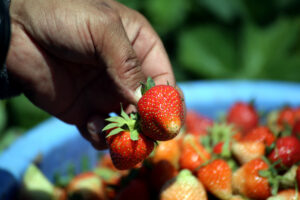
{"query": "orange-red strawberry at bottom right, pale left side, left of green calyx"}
pixel 248 182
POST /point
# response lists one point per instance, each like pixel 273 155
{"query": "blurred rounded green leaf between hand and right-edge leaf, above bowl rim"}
pixel 207 51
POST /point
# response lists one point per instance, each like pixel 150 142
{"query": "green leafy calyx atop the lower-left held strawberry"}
pixel 123 123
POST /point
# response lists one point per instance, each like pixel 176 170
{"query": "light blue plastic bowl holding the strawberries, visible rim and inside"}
pixel 60 144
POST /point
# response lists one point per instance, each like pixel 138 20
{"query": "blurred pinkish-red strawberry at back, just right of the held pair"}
pixel 197 124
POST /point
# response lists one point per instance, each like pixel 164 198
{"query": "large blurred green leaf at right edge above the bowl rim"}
pixel 266 52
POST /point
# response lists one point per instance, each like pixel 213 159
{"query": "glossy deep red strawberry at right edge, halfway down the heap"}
pixel 287 149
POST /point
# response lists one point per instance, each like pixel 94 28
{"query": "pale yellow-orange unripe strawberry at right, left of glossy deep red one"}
pixel 245 151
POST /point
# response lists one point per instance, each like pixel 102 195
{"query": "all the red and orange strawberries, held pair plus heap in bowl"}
pixel 159 154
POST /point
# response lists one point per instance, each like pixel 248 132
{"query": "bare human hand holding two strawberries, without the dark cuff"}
pixel 78 59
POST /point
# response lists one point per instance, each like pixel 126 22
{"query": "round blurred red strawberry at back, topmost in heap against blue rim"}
pixel 243 116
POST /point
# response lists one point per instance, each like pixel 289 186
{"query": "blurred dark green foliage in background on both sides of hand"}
pixel 205 39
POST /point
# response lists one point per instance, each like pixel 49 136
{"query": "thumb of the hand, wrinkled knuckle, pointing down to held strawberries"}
pixel 116 51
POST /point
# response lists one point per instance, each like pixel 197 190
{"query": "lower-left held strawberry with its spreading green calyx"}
pixel 126 146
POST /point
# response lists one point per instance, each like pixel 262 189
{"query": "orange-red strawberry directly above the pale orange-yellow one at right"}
pixel 260 134
